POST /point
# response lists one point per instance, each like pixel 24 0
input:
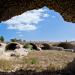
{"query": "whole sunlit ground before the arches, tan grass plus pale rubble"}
pixel 34 60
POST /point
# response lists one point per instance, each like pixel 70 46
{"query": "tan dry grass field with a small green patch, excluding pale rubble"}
pixel 39 60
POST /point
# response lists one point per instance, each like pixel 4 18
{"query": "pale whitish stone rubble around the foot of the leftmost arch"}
pixel 9 54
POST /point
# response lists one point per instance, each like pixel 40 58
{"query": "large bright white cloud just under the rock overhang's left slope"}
pixel 27 21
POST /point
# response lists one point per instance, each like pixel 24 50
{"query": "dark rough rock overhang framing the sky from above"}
pixel 10 8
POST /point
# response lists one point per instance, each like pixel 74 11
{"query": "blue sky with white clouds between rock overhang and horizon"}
pixel 42 24
